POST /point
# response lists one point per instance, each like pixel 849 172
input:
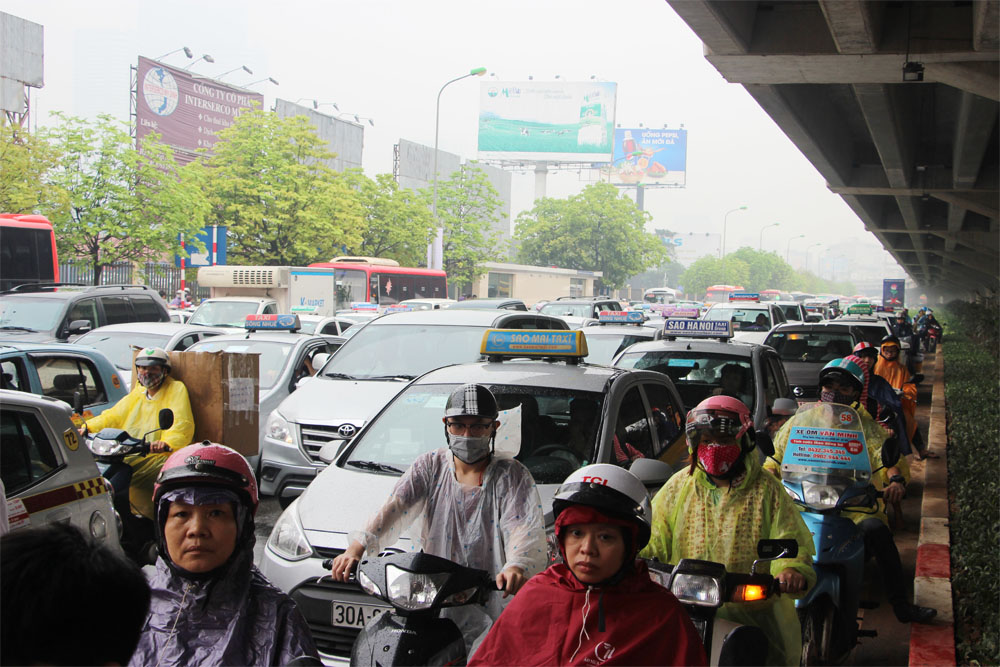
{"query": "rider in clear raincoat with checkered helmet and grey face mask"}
pixel 472 508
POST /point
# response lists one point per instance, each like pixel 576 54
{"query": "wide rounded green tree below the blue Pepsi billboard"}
pixel 596 230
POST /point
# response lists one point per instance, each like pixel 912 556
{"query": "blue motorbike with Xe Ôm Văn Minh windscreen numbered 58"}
pixel 826 470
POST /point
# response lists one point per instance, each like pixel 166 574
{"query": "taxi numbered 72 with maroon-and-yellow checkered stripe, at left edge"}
pixel 48 474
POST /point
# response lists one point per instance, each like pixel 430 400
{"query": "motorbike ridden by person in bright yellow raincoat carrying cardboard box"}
pixel 110 446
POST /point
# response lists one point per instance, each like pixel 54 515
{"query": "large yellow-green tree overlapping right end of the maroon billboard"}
pixel 281 205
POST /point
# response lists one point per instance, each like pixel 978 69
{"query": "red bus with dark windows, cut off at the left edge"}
pixel 27 251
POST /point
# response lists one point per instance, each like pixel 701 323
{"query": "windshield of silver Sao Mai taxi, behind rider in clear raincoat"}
pixel 550 439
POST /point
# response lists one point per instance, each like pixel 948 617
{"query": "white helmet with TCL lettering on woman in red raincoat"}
pixel 612 491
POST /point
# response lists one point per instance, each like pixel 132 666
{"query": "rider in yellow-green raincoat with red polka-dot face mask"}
pixel 722 507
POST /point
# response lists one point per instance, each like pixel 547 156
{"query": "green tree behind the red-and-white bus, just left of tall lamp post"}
pixel 398 223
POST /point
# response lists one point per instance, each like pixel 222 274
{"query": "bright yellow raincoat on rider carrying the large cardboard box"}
pixel 138 415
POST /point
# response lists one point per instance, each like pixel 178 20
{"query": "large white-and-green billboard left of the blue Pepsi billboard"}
pixel 555 121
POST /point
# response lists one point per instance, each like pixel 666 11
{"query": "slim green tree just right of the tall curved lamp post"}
pixel 468 209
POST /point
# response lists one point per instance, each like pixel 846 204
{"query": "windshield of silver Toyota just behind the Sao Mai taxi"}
pixel 404 350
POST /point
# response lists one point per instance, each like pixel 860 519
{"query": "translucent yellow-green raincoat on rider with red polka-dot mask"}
pixel 693 518
